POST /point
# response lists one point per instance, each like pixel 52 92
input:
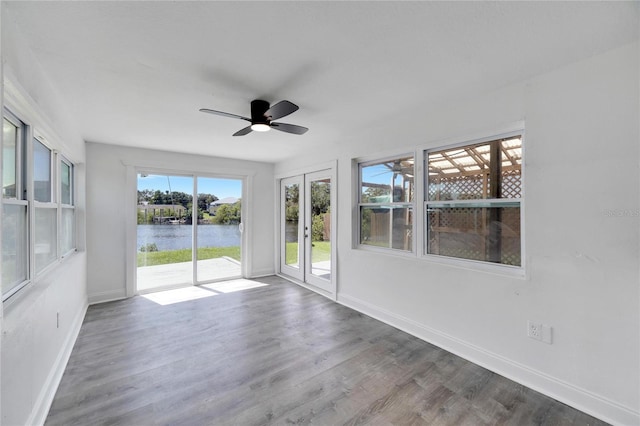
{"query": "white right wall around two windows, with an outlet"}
pixel 581 163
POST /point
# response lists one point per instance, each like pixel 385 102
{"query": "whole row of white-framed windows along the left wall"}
pixel 38 213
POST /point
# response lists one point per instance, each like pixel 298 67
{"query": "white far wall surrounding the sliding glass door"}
pixel 110 193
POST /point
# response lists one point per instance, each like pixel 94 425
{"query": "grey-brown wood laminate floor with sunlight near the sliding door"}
pixel 276 354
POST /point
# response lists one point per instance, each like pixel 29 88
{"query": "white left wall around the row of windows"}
pixel 34 350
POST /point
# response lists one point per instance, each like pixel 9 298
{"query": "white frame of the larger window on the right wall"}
pixel 481 265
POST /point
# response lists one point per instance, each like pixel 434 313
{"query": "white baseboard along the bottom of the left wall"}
pixel 45 398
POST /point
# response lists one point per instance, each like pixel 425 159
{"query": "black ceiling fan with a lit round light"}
pixel 262 116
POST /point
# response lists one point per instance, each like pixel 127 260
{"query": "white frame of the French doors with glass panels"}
pixel 330 170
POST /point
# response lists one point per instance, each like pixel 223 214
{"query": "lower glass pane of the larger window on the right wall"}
pixel 490 234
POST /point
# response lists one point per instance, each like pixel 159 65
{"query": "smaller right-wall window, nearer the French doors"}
pixel 386 203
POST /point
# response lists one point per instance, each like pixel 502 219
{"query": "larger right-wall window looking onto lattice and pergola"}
pixel 473 201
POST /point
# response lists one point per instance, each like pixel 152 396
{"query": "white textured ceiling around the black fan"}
pixel 136 73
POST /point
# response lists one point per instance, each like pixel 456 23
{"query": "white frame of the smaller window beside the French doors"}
pixel 412 205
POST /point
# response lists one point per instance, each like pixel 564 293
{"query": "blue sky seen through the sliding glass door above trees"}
pixel 221 188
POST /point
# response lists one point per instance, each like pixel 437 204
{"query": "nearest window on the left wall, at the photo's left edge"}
pixel 15 264
